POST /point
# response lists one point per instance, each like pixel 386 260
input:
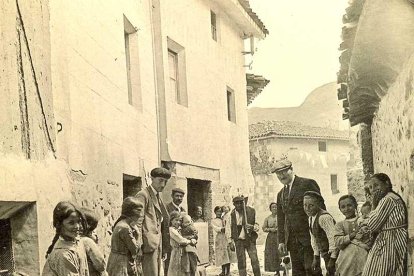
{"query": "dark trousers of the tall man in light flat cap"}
pixel 301 257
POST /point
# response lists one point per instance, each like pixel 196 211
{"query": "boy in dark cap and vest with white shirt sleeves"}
pixel 322 229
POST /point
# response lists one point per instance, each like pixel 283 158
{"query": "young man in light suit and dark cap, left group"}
pixel 155 223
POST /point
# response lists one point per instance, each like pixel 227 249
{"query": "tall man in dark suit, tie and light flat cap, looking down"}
pixel 292 220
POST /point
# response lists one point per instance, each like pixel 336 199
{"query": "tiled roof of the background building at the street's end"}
pixel 294 130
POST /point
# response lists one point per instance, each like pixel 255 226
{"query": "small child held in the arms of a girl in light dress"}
pixel 189 257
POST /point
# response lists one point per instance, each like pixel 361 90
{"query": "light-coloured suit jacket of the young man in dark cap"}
pixel 155 219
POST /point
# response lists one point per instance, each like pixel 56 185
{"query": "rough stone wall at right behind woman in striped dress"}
pixel 393 141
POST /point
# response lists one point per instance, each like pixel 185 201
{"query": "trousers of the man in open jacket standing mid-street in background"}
pixel 250 247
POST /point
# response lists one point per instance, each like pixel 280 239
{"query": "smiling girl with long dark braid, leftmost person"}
pixel 66 255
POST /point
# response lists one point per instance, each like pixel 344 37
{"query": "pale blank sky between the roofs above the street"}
pixel 301 51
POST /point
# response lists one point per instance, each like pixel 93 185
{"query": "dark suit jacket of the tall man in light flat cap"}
pixel 292 220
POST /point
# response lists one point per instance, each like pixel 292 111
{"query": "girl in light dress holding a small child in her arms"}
pixel 178 243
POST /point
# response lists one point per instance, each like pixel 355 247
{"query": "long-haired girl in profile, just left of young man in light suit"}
pixel 124 242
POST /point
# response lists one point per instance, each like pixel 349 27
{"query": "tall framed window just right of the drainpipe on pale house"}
pixel 177 72
